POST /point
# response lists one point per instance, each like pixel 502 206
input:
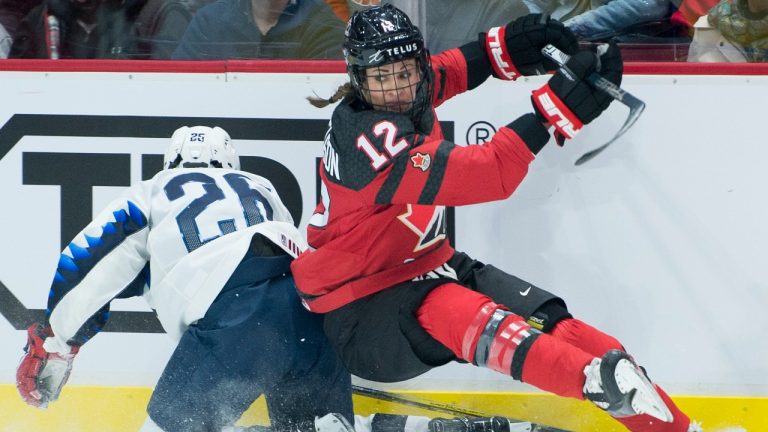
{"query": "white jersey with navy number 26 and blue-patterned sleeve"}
pixel 192 226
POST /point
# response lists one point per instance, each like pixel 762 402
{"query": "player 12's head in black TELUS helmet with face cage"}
pixel 387 63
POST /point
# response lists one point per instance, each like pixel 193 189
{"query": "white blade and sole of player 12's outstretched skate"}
pixel 645 400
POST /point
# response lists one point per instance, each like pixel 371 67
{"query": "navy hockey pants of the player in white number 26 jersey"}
pixel 256 338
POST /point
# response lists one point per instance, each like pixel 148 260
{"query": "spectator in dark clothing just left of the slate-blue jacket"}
pixel 161 24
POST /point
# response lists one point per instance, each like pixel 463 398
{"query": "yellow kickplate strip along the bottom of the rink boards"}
pixel 99 409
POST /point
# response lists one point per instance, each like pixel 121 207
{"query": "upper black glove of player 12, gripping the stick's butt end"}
pixel 515 49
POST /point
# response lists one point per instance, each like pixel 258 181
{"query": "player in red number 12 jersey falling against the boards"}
pixel 398 299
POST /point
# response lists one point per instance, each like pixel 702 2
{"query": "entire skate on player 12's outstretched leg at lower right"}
pixel 617 385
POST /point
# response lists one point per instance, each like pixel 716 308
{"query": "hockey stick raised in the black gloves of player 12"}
pixel 635 105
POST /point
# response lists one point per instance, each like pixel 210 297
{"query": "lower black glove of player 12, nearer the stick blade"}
pixel 569 101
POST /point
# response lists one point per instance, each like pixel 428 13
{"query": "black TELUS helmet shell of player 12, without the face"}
pixel 380 35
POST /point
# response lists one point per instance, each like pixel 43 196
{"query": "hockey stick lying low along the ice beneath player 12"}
pixel 447 408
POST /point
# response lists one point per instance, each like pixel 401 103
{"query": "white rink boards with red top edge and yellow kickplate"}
pixel 659 241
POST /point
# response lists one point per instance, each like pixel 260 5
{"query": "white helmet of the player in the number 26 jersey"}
pixel 201 147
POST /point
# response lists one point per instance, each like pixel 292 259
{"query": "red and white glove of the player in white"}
pixel 41 374
